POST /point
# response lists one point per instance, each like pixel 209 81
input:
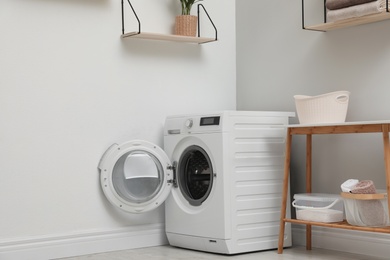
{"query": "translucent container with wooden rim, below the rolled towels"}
pixel 369 210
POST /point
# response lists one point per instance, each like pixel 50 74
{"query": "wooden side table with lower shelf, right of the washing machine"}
pixel 342 128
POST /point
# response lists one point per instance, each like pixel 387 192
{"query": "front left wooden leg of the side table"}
pixel 285 191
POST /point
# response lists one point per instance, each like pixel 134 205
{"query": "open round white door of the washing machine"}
pixel 136 176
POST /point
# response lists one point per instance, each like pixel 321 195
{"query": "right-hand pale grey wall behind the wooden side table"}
pixel 276 59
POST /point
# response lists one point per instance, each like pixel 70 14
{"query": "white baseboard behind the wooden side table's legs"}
pixel 357 242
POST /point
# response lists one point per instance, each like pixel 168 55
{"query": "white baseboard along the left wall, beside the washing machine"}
pixel 52 247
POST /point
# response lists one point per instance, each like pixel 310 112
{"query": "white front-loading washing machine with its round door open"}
pixel 220 175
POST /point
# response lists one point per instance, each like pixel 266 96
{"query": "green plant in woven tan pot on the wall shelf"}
pixel 186 24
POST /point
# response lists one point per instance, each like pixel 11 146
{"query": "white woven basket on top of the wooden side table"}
pixel 327 108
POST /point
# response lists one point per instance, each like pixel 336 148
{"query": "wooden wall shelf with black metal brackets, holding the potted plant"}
pixel 166 37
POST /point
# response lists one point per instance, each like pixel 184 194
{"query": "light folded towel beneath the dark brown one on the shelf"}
pixel 356 11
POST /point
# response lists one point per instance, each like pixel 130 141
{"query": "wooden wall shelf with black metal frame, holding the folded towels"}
pixel 328 26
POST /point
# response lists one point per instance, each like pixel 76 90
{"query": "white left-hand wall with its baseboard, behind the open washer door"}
pixel 69 88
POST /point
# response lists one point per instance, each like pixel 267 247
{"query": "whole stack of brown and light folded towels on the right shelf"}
pixel 353 8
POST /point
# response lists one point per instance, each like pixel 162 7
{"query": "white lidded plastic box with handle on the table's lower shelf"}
pixel 319 207
